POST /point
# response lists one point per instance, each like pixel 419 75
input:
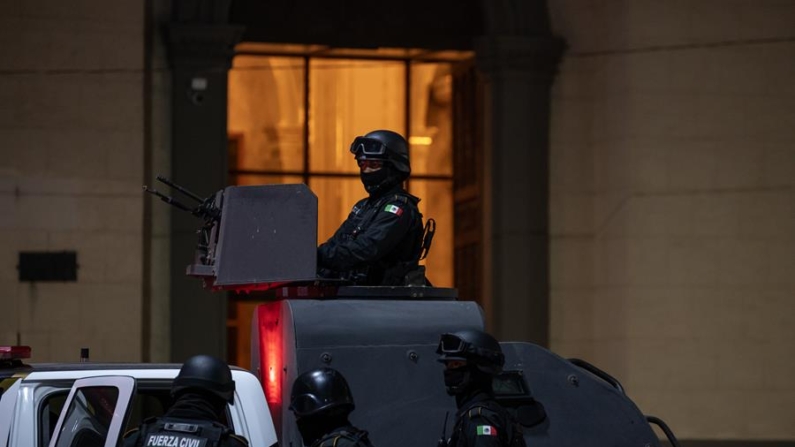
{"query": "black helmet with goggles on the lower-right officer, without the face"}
pixel 473 346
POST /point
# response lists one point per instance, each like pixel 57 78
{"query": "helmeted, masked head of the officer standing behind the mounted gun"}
pixel 383 159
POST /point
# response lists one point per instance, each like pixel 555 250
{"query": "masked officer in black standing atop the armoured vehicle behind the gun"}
pixel 381 240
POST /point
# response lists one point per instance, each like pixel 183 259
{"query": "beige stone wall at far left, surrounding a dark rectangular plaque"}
pixel 71 168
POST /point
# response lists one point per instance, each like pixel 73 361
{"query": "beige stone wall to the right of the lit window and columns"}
pixel 673 207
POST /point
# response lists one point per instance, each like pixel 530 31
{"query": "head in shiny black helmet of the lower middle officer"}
pixel 321 401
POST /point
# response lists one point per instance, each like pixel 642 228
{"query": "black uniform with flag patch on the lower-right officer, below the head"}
pixel 482 422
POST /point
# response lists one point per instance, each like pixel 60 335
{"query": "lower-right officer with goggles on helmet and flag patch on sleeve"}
pixel 472 358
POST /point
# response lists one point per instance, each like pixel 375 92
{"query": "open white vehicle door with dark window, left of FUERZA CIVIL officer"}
pixel 95 412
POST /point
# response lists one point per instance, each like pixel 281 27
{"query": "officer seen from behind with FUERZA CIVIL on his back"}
pixel 201 390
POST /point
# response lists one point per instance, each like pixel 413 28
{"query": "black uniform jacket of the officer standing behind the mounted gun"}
pixel 380 240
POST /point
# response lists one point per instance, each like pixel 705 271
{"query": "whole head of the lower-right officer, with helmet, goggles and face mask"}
pixel 472 359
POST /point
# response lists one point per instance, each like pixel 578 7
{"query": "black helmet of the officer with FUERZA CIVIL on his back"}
pixel 205 373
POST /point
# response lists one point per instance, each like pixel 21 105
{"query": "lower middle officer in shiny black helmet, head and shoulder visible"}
pixel 321 401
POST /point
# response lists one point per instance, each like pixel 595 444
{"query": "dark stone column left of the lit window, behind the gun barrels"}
pixel 201 47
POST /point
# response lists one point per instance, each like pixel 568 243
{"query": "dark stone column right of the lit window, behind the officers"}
pixel 518 71
